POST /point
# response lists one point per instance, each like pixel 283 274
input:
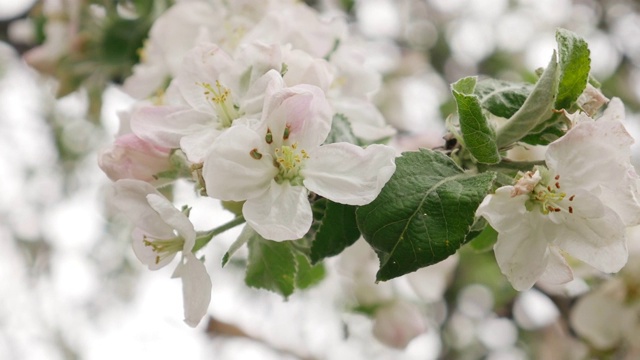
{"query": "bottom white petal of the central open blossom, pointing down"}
pixel 282 213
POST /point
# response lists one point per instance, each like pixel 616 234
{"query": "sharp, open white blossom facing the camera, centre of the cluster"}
pixel 275 164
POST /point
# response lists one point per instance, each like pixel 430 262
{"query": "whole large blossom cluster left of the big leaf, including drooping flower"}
pixel 249 110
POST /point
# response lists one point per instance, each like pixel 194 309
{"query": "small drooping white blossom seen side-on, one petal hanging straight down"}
pixel 161 232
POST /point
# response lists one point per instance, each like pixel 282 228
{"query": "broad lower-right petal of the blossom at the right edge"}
pixel 599 242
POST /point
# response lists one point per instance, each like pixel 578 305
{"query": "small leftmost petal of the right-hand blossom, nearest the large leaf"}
pixel 502 210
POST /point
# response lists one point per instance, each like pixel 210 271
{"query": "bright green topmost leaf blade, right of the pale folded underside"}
pixel 575 65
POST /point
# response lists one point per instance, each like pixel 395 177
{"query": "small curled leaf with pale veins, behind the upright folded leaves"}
pixel 502 98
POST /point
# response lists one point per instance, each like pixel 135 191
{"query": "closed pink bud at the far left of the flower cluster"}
pixel 133 158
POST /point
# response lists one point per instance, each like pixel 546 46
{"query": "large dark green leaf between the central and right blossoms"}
pixel 423 213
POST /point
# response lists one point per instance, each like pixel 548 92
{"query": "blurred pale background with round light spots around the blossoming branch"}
pixel 71 288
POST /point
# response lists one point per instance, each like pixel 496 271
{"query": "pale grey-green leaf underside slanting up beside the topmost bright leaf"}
pixel 535 110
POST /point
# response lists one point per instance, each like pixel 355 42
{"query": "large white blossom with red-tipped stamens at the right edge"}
pixel 581 205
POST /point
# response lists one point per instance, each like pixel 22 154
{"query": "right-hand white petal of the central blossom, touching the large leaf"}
pixel 347 173
